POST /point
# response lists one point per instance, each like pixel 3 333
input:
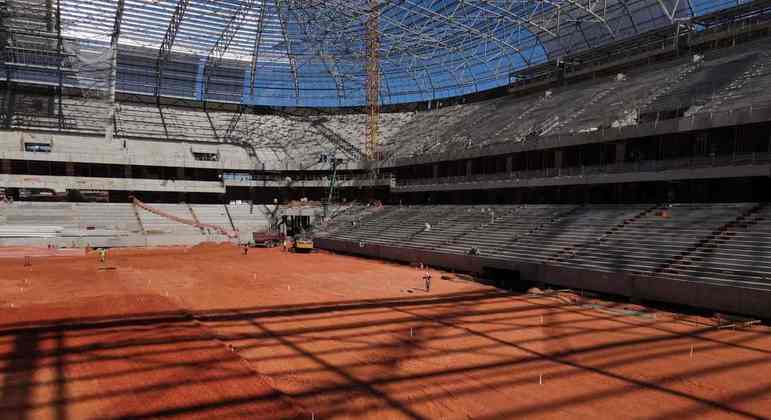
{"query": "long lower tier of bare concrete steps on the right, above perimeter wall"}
pixel 725 243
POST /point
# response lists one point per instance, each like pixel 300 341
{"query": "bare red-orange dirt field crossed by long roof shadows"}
pixel 209 333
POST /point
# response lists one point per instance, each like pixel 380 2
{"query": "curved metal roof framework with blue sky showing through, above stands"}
pixel 311 52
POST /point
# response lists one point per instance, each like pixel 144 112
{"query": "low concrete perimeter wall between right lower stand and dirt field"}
pixel 739 300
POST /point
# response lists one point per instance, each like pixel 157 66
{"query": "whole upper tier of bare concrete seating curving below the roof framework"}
pixel 722 80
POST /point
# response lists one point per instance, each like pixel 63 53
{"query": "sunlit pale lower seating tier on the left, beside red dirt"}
pixel 66 224
